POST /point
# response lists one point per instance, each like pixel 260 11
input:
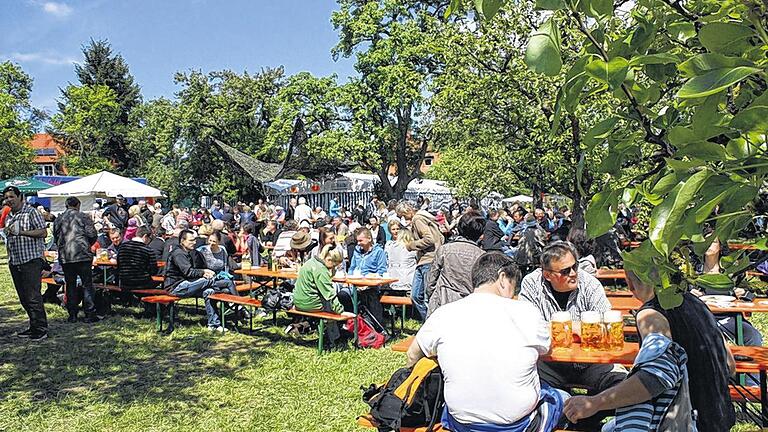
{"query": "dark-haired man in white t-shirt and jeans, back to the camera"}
pixel 487 345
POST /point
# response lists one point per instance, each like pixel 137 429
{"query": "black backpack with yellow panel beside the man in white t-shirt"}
pixel 413 397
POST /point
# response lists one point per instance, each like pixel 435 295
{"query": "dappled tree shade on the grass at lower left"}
pixel 117 360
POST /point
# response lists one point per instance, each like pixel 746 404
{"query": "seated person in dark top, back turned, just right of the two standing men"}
pixel 136 263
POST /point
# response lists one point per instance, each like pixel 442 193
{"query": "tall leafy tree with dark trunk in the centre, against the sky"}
pixel 385 106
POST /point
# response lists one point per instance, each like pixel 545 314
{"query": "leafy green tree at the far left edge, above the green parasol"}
pixel 17 118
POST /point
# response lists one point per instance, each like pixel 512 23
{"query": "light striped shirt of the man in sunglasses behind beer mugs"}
pixel 588 296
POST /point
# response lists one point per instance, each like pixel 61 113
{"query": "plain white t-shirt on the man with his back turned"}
pixel 487 347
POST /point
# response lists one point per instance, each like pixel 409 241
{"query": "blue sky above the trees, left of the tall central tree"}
pixel 160 37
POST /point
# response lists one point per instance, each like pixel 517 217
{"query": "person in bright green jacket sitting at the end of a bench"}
pixel 314 291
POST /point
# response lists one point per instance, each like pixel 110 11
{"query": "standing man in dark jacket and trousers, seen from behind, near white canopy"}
pixel 74 233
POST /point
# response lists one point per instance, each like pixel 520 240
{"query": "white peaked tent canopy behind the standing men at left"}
pixel 99 185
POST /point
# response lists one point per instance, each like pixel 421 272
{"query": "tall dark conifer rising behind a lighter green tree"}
pixel 103 67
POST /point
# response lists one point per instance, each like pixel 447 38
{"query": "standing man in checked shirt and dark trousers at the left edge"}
pixel 25 232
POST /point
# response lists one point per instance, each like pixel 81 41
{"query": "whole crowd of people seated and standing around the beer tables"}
pixel 484 282
